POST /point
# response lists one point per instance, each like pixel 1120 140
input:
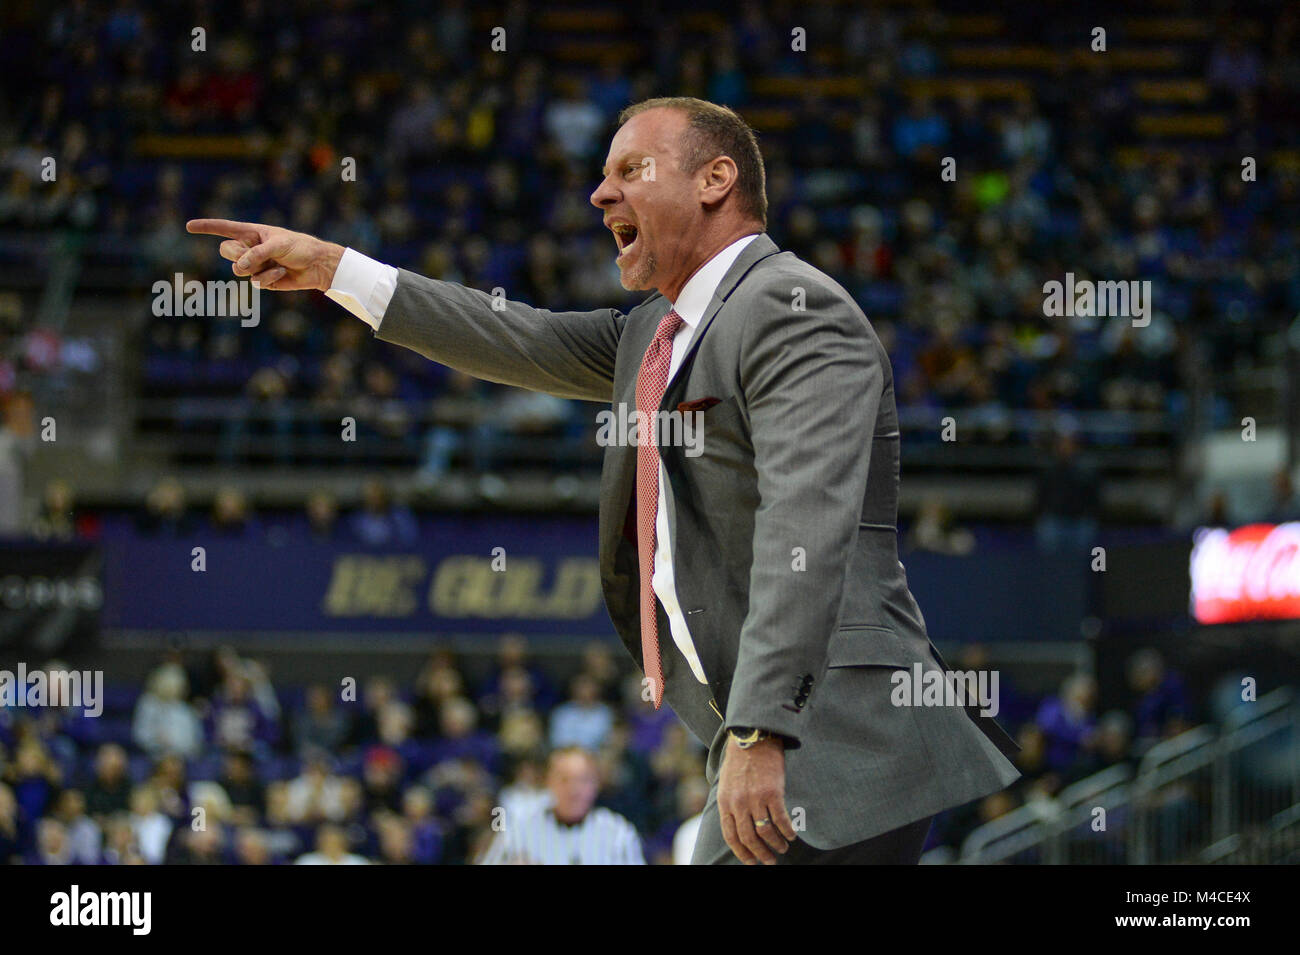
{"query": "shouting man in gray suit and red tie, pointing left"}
pixel 756 584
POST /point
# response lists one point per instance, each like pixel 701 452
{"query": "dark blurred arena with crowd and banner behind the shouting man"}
pixel 344 601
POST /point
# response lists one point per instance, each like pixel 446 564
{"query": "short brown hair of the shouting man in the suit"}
pixel 713 132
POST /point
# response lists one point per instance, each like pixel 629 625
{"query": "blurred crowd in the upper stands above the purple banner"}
pixel 476 166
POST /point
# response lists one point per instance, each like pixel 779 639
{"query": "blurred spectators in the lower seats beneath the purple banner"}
pixel 213 763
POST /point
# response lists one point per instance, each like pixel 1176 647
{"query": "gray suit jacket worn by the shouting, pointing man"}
pixel 783 531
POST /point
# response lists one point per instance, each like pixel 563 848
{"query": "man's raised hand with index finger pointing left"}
pixel 274 258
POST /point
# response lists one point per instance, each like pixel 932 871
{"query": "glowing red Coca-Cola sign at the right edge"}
pixel 1250 574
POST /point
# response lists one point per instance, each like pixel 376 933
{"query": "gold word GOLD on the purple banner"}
pixel 469 588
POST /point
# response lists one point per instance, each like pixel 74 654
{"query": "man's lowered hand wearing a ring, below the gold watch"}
pixel 752 789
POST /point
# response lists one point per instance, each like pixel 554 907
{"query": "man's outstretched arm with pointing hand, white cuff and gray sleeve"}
pixel 565 354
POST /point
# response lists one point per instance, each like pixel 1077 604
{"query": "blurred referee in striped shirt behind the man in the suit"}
pixel 567 831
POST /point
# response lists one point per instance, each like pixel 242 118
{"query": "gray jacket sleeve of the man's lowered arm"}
pixel 813 383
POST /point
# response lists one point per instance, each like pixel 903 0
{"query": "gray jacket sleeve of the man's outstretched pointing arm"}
pixel 562 354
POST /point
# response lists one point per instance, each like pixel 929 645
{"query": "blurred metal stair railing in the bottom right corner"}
pixel 1206 796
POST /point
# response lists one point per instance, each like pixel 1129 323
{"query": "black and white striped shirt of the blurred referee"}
pixel 538 839
